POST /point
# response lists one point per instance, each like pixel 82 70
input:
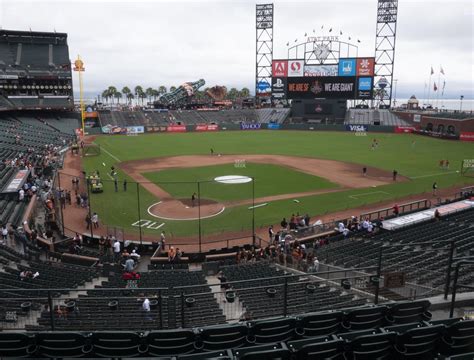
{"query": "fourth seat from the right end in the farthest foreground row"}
pixel 274 330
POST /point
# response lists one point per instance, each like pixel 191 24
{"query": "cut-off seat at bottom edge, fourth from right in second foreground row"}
pixel 322 347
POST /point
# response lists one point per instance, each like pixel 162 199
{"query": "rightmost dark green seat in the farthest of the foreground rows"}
pixel 405 312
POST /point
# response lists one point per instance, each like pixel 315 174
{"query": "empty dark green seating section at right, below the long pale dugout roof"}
pixel 422 262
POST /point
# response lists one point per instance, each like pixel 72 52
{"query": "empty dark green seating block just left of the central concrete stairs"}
pixel 94 312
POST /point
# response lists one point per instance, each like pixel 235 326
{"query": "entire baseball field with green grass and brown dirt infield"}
pixel 286 171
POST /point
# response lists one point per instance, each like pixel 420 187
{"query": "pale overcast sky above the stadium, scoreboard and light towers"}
pixel 153 43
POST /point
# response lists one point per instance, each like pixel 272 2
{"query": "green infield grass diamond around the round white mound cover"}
pixel 269 180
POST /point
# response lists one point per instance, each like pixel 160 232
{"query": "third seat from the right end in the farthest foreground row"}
pixel 318 324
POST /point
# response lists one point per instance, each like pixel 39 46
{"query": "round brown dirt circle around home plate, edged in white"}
pixel 183 209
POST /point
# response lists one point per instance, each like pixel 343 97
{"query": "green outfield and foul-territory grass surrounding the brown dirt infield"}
pixel 418 161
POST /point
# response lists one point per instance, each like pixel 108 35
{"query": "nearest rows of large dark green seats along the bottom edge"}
pixel 277 338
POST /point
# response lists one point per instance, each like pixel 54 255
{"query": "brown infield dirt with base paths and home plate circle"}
pixel 346 175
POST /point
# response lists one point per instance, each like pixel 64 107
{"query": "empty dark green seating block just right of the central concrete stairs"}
pixel 257 302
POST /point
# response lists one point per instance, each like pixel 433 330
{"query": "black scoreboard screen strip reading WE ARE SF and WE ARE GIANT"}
pixel 331 87
